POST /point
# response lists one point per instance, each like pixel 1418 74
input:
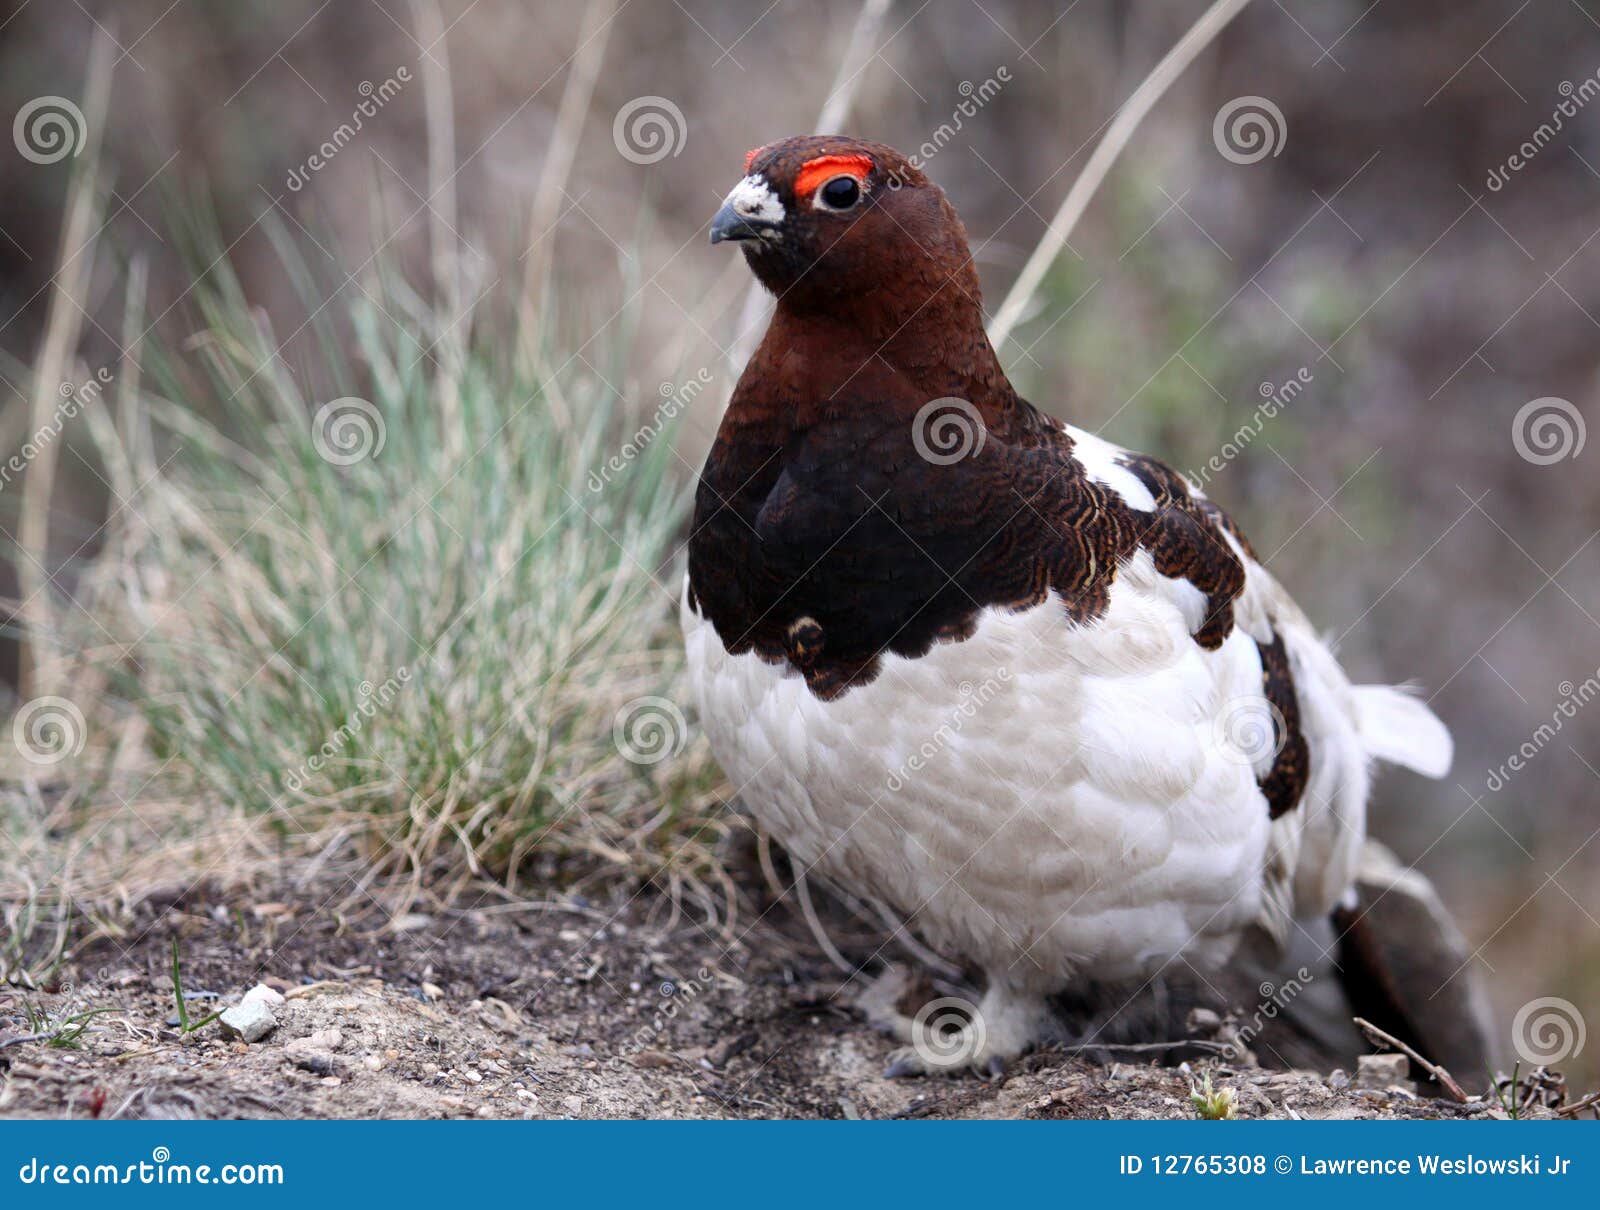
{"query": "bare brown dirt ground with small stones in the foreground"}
pixel 508 1011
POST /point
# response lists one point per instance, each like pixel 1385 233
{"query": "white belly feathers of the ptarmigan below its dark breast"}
pixel 1044 799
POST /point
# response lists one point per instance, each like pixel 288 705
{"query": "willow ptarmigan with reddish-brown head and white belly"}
pixel 1031 691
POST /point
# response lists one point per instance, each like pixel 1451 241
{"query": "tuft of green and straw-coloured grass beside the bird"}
pixel 447 649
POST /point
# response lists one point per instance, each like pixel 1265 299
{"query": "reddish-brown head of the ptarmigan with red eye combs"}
pixel 828 222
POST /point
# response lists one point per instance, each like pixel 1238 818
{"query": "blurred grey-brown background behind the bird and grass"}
pixel 1425 307
